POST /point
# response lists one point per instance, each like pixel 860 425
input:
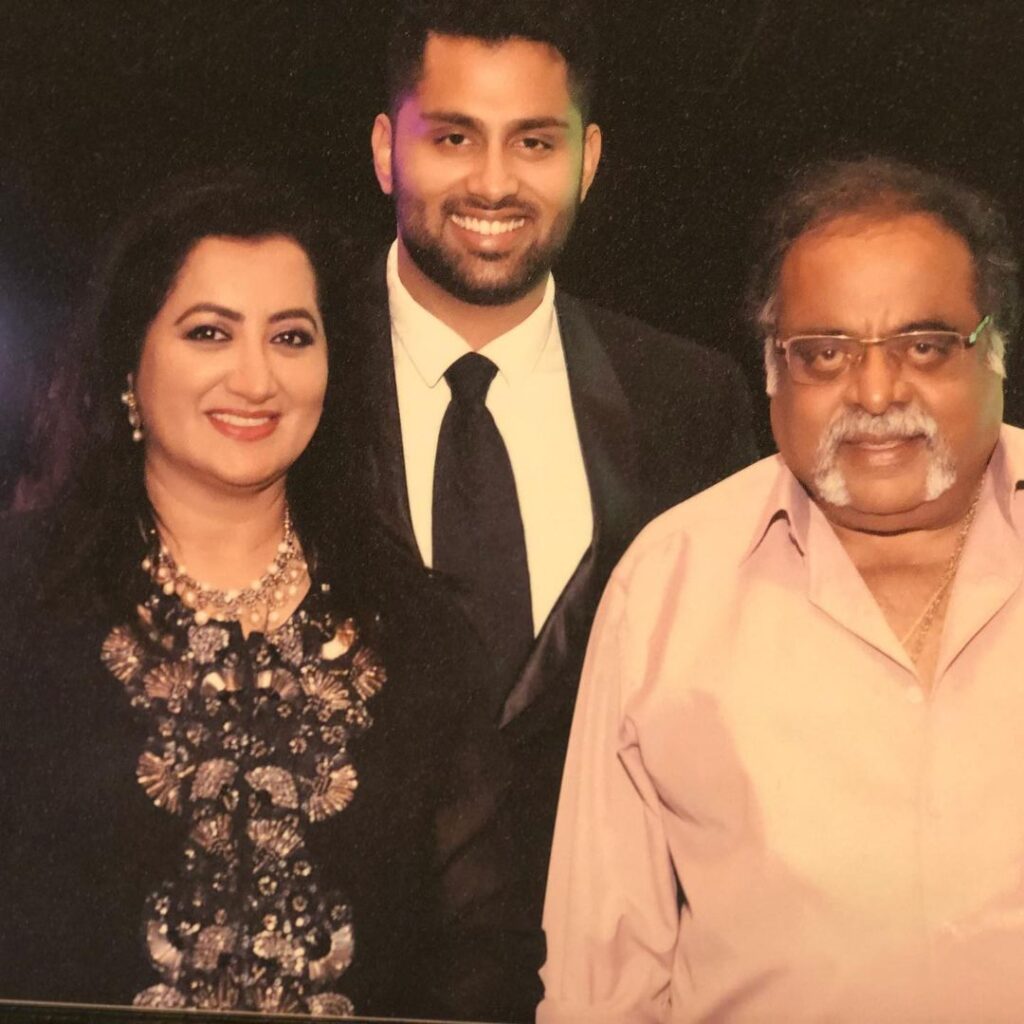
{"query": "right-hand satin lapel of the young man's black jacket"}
pixel 608 438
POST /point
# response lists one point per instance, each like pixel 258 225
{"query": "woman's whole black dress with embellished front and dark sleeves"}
pixel 197 849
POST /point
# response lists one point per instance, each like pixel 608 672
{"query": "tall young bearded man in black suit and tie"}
pixel 515 441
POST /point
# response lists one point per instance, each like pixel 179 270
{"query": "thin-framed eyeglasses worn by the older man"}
pixel 816 359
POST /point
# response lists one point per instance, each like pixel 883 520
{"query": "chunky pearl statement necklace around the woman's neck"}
pixel 263 601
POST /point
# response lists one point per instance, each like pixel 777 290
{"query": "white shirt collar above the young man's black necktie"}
pixel 433 347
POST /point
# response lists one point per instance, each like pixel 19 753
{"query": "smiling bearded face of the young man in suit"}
pixel 488 159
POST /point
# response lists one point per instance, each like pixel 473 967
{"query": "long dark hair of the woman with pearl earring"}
pixel 87 471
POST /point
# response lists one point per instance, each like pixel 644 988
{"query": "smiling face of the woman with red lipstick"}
pixel 234 368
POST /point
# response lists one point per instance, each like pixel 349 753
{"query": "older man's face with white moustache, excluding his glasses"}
pixel 871 277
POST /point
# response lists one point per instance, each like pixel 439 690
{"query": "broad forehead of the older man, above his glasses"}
pixel 865 274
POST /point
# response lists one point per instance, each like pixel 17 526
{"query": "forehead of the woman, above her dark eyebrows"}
pixel 227 267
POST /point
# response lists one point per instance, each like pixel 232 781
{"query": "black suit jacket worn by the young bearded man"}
pixel 659 419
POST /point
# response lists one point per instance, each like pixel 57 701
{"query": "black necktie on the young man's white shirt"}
pixel 478 529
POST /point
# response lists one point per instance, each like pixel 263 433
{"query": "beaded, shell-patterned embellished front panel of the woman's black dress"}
pixel 248 741
